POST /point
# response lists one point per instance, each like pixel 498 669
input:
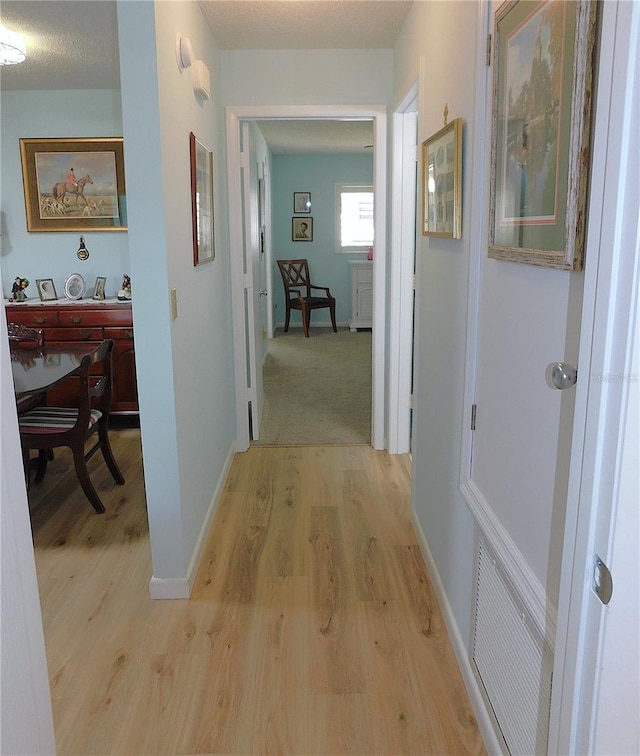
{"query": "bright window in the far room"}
pixel 354 218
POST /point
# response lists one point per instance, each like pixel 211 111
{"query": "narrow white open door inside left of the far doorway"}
pixel 254 274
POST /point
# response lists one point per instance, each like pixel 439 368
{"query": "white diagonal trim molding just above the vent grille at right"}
pixel 530 590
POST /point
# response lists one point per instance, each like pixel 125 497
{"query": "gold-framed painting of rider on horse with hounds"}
pixel 74 184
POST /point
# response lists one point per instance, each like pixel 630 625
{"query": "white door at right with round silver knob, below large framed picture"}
pixel 529 317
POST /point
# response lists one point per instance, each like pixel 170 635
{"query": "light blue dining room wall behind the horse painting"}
pixel 71 113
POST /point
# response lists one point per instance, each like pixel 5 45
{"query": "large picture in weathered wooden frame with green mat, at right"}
pixel 542 77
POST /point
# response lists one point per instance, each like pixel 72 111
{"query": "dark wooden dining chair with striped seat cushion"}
pixel 49 427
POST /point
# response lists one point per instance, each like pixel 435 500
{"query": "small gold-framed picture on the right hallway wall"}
pixel 442 182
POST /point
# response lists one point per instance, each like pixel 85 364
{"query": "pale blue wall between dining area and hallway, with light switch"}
pixel 184 365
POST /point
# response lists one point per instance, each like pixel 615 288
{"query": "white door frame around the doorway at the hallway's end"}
pixel 235 115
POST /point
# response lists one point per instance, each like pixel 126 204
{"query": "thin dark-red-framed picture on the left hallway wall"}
pixel 202 201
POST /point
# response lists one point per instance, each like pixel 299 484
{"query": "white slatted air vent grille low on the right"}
pixel 513 661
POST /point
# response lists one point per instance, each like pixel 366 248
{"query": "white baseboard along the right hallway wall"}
pixel 482 715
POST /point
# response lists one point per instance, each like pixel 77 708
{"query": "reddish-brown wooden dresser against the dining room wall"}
pixel 87 321
